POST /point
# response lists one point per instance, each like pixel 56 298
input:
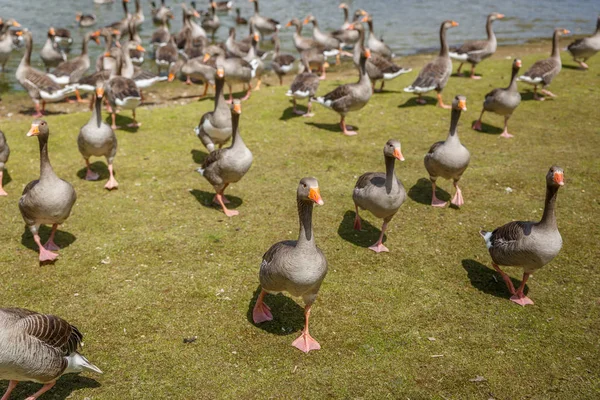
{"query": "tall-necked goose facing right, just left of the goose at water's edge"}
pixel 434 75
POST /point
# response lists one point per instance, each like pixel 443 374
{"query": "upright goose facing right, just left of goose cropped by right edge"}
pixel 544 71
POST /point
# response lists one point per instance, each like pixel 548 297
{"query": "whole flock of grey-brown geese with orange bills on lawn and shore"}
pixel 40 348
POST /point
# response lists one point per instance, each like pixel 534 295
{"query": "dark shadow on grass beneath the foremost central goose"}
pixel 288 316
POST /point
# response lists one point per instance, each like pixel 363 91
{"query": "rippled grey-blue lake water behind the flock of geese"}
pixel 406 28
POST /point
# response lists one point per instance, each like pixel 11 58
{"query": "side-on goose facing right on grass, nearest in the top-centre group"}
pixel 351 96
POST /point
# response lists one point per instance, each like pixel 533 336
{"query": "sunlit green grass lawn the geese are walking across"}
pixel 153 263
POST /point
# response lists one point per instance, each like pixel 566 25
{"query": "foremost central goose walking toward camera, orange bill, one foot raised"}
pixel 295 266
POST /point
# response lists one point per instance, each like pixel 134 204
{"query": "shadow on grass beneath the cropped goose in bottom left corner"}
pixel 64 388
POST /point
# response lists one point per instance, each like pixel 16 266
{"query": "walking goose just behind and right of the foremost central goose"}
pixel 380 193
